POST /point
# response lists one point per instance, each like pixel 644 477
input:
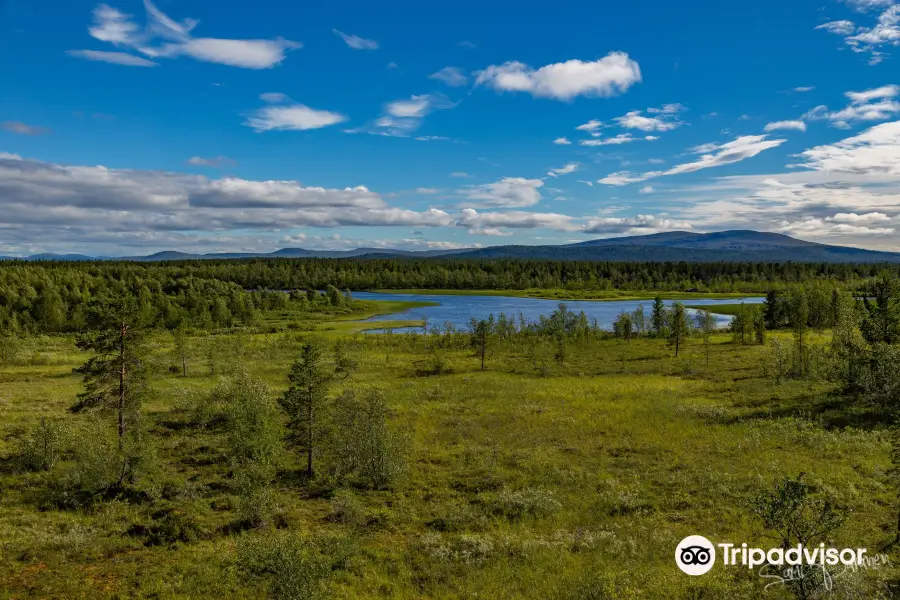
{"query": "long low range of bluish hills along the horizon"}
pixel 729 246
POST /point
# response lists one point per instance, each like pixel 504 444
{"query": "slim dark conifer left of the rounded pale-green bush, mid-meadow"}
pixel 304 399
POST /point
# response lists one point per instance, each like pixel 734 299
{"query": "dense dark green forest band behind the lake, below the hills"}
pixel 53 296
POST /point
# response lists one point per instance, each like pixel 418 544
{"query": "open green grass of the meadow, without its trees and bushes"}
pixel 541 477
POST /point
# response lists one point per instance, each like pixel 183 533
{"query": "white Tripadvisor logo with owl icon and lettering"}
pixel 696 555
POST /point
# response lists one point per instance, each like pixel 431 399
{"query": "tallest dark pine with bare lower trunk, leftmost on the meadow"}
pixel 115 374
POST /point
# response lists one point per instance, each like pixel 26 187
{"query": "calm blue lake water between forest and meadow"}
pixel 458 310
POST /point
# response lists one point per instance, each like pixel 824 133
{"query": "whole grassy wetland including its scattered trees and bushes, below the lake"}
pixel 547 460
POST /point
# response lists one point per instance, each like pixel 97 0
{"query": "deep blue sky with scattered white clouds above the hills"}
pixel 136 126
